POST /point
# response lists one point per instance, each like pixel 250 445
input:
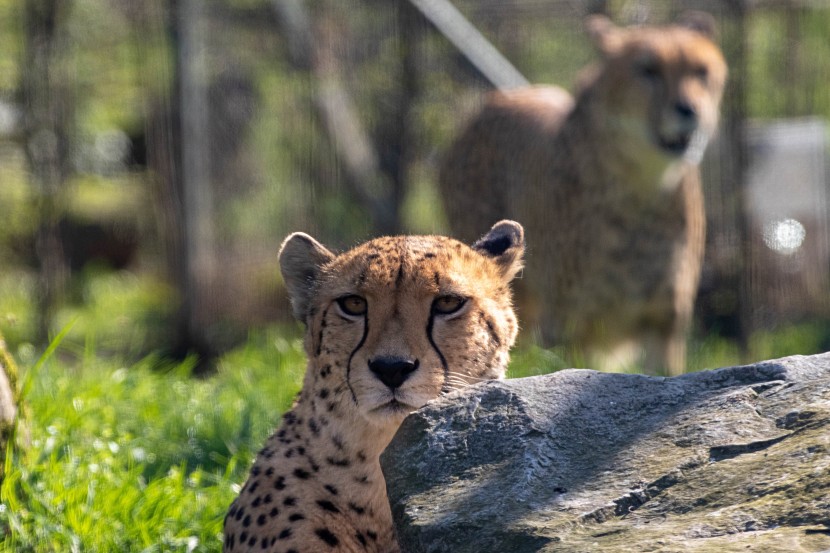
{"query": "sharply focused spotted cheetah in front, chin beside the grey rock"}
pixel 390 325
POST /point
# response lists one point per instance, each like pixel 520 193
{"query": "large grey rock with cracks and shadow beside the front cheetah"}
pixel 734 459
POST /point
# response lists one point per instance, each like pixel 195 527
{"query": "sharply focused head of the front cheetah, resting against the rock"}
pixel 397 321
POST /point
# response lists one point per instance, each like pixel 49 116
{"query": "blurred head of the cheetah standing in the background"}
pixel 662 84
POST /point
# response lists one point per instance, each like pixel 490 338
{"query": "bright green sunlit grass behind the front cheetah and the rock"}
pixel 142 456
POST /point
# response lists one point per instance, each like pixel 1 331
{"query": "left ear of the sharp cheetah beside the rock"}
pixel 301 258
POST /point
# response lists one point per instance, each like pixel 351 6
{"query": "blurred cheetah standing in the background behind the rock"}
pixel 608 187
